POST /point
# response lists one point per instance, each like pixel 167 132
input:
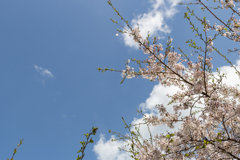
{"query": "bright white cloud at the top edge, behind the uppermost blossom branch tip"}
pixel 153 21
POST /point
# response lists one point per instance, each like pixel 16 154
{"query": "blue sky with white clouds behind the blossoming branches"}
pixel 50 90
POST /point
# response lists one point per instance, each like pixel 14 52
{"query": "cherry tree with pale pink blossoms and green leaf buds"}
pixel 209 132
